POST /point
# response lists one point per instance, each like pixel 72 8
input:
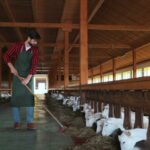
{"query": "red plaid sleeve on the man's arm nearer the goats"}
pixel 35 60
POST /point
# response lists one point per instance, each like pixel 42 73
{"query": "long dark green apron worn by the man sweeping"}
pixel 21 97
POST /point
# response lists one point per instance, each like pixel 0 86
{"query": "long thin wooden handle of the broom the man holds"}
pixel 44 106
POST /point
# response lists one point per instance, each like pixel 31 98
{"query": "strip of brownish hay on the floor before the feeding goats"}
pixel 77 130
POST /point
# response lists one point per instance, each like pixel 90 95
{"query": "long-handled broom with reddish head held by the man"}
pixel 62 129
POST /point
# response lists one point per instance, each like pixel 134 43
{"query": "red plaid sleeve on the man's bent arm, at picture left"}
pixel 11 52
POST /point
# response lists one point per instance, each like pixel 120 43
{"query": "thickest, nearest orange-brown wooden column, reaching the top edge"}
pixel 83 42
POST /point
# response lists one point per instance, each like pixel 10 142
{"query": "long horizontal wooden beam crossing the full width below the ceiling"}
pixel 100 27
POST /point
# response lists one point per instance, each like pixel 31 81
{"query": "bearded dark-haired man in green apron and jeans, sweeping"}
pixel 25 54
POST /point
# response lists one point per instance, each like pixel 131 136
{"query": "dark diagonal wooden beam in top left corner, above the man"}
pixel 7 8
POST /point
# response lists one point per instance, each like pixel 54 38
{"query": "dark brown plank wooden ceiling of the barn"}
pixel 121 27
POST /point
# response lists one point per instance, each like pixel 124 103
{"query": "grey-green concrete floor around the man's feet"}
pixel 46 137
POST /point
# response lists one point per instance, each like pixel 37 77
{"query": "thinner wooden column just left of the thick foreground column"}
pixel 66 60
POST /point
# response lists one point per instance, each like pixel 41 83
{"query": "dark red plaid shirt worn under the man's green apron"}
pixel 13 52
